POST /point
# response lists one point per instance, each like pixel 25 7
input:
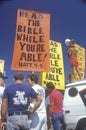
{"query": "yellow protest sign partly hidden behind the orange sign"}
pixel 56 75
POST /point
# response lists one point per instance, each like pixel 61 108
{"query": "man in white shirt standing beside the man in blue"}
pixel 39 118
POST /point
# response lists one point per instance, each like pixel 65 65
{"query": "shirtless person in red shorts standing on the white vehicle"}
pixel 72 53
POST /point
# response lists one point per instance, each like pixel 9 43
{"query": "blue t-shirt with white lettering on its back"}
pixel 18 96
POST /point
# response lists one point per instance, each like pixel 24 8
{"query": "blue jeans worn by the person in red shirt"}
pixel 56 120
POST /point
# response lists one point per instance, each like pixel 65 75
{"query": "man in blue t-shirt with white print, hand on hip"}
pixel 15 104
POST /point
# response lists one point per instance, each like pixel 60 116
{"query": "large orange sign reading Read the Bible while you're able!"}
pixel 31 49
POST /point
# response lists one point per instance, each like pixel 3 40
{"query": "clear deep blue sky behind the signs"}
pixel 67 20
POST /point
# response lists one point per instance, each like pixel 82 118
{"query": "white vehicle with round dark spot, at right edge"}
pixel 74 105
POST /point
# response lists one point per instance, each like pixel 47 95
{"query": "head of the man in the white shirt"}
pixel 32 79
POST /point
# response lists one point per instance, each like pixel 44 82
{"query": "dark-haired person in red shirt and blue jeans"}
pixel 55 105
